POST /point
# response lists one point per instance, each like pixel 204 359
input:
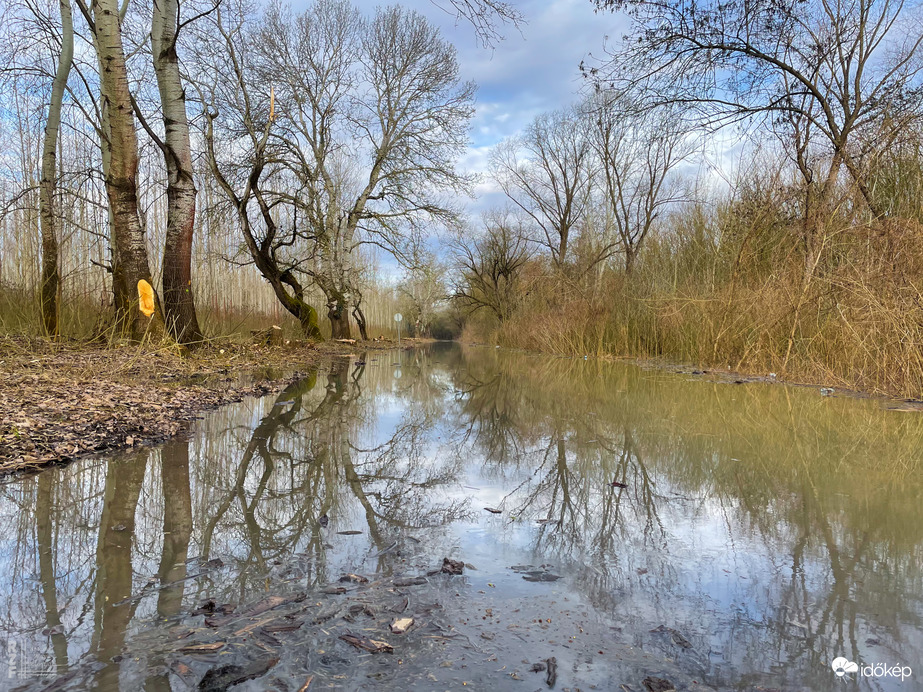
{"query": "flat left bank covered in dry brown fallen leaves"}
pixel 60 401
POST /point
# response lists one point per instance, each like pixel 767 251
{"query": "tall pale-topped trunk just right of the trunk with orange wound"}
pixel 178 300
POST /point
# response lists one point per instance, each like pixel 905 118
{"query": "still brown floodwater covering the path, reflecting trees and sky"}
pixel 762 532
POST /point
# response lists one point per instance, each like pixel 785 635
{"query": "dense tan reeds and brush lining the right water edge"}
pixel 730 284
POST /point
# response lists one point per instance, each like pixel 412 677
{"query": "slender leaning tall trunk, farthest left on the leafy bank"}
pixel 50 273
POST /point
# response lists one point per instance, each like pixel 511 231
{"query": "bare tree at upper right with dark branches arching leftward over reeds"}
pixel 851 70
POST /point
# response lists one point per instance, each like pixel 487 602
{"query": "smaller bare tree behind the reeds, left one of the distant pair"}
pixel 546 173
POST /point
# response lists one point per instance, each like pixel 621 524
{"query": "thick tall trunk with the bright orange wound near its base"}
pixel 130 263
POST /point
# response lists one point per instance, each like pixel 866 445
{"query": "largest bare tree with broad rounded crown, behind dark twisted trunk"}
pixel 369 116
